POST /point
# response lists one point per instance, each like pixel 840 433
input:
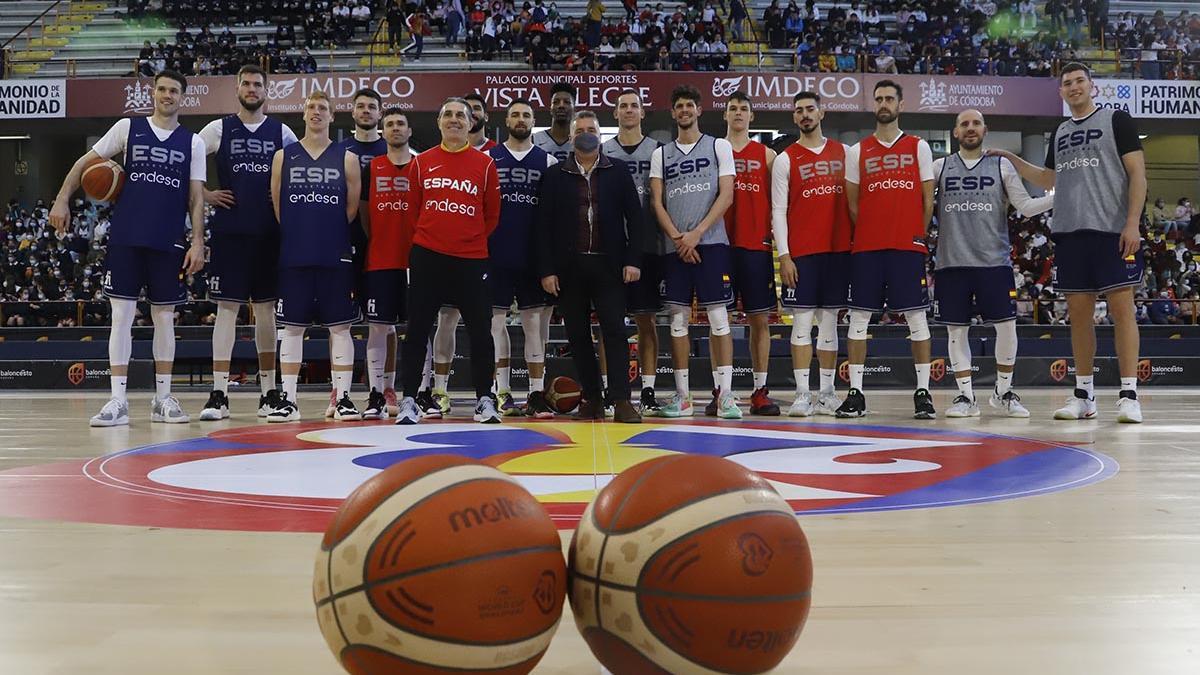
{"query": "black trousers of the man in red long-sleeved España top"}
pixel 435 280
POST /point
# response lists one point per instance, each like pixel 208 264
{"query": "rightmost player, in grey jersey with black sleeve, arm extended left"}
pixel 1097 168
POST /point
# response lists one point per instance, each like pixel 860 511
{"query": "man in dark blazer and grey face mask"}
pixel 587 247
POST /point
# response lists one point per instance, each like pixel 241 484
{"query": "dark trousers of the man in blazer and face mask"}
pixel 595 282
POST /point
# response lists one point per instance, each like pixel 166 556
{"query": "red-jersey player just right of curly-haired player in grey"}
pixel 748 225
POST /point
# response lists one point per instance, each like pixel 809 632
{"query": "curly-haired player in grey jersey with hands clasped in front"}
pixel 689 211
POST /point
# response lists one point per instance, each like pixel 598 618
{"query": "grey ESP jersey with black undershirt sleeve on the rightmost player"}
pixel 1091 186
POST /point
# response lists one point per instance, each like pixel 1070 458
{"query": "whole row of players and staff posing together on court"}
pixel 314 232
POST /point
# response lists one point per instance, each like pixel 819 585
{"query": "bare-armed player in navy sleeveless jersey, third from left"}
pixel 316 188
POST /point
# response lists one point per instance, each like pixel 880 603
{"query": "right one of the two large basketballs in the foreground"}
pixel 700 568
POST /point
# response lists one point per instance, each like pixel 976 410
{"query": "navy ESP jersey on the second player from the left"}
pixel 244 165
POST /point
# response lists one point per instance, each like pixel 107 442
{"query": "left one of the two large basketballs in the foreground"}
pixel 440 565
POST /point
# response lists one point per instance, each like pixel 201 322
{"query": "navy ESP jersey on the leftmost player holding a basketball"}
pixel 153 208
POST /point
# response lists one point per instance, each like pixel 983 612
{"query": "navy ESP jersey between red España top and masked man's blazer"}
pixel 520 181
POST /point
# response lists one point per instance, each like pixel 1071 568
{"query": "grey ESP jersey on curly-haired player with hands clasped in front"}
pixel 691 187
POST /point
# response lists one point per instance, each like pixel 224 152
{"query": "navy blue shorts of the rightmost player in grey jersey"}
pixel 1090 262
